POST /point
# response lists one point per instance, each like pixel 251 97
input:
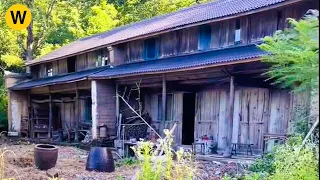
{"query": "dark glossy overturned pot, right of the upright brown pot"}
pixel 100 159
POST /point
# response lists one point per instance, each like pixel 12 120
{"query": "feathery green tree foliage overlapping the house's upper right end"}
pixel 295 55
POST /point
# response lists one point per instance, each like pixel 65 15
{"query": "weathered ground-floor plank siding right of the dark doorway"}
pixel 257 111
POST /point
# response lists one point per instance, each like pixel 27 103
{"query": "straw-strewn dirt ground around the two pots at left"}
pixel 19 164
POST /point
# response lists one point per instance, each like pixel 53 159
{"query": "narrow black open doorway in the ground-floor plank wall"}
pixel 189 100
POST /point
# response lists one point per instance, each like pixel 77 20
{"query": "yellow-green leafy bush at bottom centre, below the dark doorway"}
pixel 173 165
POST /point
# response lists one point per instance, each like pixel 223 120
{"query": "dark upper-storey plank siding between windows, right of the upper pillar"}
pixel 252 29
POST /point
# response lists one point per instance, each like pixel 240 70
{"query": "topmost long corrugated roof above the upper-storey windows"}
pixel 194 14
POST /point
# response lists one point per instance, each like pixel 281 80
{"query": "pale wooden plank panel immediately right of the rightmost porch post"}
pixel 251 112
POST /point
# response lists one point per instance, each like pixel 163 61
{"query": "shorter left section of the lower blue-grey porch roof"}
pixel 77 76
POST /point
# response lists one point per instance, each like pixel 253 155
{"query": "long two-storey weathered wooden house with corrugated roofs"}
pixel 198 67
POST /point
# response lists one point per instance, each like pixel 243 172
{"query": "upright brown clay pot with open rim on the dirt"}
pixel 45 156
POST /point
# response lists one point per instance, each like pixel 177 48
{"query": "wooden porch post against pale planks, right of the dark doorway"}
pixel 230 115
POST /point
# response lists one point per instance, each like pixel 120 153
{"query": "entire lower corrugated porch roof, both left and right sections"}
pixel 159 65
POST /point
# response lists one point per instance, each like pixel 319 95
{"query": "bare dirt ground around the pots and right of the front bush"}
pixel 19 164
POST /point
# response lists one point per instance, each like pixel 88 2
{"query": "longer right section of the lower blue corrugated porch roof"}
pixel 183 62
